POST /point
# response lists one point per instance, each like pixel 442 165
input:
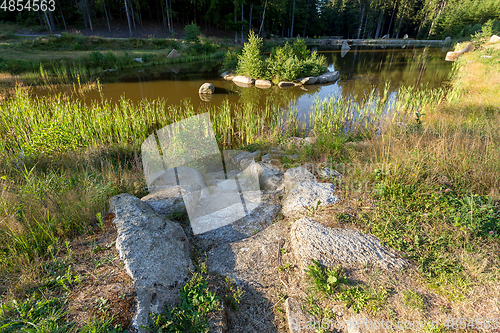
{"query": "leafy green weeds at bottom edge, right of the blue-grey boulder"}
pixel 190 316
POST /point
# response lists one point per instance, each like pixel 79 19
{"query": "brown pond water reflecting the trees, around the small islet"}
pixel 361 70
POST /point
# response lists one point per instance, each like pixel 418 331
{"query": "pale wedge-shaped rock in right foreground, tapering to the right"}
pixel 311 240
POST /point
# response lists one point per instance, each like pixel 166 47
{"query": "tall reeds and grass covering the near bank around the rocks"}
pixel 428 162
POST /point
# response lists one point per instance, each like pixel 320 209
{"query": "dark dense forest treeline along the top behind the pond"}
pixel 286 18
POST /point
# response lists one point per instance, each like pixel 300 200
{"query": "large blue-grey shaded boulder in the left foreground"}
pixel 155 251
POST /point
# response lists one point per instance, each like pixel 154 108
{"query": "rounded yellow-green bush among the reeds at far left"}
pixel 52 137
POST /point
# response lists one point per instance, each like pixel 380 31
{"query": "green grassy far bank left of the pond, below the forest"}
pixel 63 59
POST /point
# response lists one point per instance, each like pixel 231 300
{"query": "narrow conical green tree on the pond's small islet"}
pixel 250 62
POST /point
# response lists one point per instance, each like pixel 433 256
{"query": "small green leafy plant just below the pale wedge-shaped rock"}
pixel 325 280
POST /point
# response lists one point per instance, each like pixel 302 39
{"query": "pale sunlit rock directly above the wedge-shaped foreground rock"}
pixel 306 195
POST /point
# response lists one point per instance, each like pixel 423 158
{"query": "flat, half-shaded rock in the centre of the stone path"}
pixel 256 220
